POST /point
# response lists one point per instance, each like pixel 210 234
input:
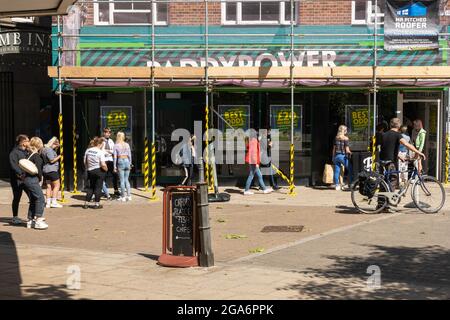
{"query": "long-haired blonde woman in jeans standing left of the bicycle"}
pixel 341 154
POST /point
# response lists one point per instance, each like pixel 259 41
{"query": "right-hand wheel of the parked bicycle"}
pixel 428 194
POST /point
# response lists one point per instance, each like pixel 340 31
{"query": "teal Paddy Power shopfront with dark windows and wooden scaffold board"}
pixel 338 89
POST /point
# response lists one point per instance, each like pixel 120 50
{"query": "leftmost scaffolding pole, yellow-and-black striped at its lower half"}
pixel 60 116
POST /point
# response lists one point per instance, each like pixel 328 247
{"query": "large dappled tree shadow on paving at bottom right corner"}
pixel 405 273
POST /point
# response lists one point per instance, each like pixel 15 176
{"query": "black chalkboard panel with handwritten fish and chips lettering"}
pixel 183 223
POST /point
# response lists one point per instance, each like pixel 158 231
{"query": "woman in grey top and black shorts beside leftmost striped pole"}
pixel 51 172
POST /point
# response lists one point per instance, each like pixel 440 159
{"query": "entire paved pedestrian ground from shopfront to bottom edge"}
pixel 116 249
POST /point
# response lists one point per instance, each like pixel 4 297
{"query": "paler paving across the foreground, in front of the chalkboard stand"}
pixel 412 251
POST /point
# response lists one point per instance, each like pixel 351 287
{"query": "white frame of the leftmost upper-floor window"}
pixel 112 10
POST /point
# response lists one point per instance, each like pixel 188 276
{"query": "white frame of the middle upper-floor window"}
pixel 239 21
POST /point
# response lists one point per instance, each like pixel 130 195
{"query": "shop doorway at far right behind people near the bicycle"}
pixel 429 112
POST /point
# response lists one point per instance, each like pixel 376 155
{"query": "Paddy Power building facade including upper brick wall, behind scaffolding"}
pixel 329 34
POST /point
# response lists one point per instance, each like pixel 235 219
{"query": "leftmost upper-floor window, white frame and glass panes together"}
pixel 130 12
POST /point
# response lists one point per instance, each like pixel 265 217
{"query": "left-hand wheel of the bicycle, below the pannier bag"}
pixel 365 204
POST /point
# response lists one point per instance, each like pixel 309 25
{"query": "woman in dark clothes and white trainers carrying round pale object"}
pixel 33 185
